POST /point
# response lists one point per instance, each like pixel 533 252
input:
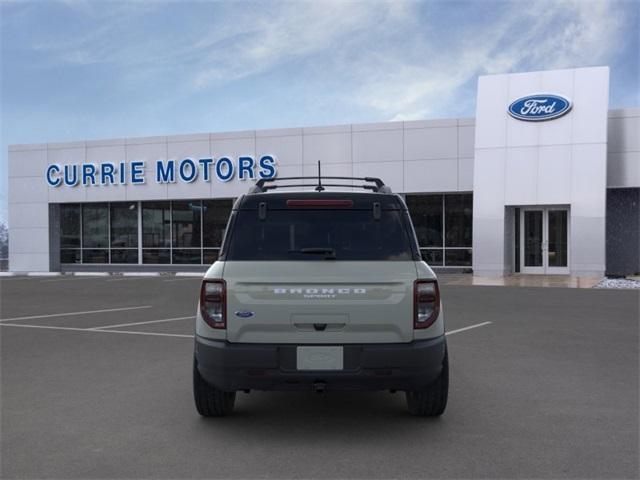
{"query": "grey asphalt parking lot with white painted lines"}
pixel 96 383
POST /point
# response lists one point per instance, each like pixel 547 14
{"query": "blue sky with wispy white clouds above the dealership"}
pixel 77 70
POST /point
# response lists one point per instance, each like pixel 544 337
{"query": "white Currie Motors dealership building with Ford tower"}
pixel 544 180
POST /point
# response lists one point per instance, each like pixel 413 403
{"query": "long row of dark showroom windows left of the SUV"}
pixel 179 232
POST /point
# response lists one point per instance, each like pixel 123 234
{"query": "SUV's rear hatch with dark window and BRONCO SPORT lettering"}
pixel 333 270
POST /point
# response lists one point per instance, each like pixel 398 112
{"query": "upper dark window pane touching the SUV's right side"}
pixel 426 215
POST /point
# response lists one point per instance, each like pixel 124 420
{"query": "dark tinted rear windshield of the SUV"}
pixel 320 235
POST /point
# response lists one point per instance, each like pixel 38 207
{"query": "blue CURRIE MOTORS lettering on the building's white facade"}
pixel 187 170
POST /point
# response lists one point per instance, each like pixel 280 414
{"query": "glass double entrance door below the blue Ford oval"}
pixel 544 235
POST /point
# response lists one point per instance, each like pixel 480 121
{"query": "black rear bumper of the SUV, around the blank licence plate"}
pixel 400 366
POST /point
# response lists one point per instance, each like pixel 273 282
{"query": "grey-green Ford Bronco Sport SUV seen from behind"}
pixel 320 290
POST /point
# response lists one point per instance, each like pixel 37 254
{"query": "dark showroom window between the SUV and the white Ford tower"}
pixel 443 224
